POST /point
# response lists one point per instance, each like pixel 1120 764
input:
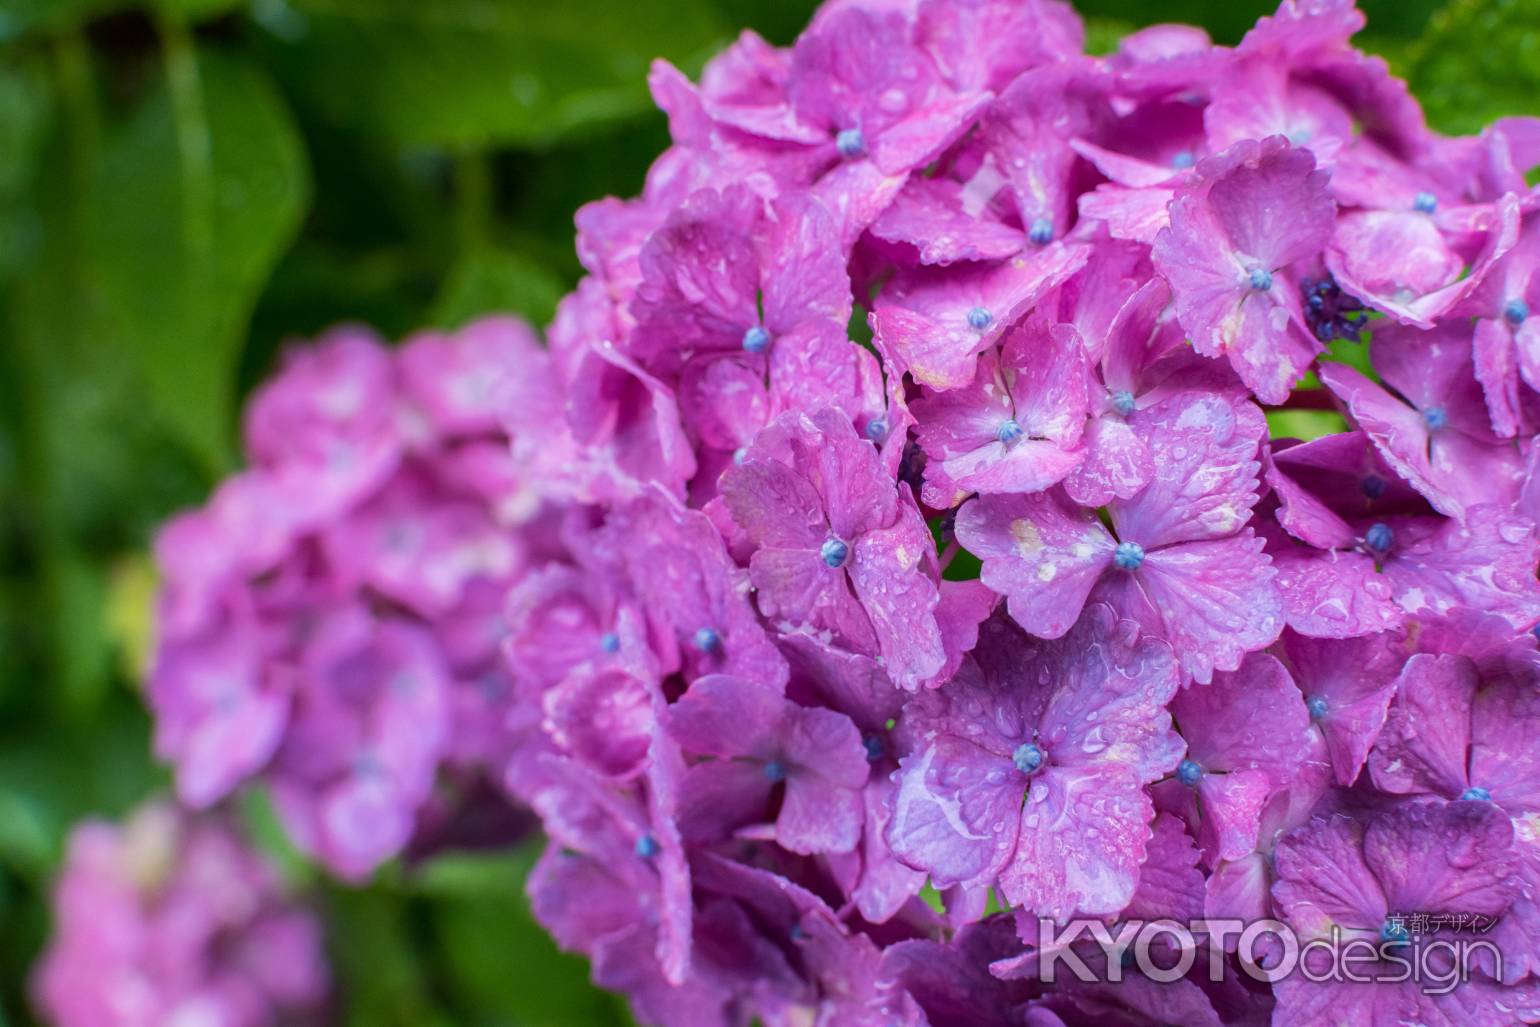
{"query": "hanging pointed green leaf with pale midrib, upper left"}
pixel 192 204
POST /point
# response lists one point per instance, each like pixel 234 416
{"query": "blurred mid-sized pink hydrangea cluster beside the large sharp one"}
pixel 330 623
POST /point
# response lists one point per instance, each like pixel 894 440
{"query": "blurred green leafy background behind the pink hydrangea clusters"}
pixel 189 184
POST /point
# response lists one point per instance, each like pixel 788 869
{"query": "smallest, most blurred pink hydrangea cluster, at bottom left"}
pixel 172 920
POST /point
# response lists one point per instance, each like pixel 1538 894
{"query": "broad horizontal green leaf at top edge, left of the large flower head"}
pixel 470 73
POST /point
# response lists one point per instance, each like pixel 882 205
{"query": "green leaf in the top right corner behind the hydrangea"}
pixel 1479 61
